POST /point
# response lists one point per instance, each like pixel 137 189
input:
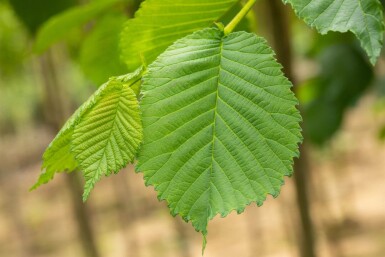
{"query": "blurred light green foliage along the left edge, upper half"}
pixel 18 94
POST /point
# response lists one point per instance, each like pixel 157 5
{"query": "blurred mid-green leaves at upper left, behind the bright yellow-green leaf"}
pixel 96 48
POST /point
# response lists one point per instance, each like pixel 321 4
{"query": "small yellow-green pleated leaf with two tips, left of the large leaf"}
pixel 94 129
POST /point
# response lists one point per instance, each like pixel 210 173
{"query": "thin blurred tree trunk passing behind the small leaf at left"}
pixel 57 111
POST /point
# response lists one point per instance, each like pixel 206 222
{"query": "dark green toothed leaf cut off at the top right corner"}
pixel 362 17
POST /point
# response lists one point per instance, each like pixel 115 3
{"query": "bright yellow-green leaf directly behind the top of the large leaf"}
pixel 158 23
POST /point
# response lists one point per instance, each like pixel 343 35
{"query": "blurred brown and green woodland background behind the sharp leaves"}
pixel 333 207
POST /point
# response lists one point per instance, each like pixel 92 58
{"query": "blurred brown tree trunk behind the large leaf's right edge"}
pixel 278 23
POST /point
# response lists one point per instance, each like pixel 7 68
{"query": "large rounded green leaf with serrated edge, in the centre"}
pixel 220 122
